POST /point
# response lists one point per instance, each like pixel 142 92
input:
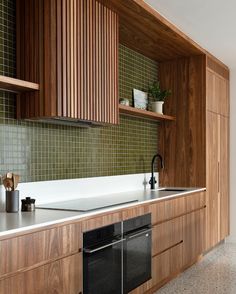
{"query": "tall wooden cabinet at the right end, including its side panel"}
pixel 196 146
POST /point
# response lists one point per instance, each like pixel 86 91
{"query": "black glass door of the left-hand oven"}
pixel 103 270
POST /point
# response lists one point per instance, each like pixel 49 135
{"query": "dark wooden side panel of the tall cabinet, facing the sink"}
pixel 183 142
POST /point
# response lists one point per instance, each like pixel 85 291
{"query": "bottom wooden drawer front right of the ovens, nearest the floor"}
pixel 166 264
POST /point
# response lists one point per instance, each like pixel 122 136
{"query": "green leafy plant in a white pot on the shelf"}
pixel 158 96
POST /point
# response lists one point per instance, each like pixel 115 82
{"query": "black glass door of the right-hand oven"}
pixel 137 259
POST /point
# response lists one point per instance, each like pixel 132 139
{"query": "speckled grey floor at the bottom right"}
pixel 214 274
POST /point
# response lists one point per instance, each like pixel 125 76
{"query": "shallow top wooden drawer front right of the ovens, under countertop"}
pixel 167 209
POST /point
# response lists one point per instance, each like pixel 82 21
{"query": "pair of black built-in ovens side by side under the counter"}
pixel 117 258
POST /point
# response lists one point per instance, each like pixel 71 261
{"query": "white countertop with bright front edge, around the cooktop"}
pixel 11 223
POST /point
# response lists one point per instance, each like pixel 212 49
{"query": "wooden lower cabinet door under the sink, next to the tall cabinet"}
pixel 194 235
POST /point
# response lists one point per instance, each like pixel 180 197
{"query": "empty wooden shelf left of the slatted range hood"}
pixel 17 86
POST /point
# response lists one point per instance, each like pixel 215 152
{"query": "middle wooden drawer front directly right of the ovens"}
pixel 166 235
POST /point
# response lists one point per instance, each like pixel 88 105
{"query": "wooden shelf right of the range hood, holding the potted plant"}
pixel 131 111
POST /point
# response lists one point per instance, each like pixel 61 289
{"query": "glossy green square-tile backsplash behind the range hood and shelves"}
pixel 40 151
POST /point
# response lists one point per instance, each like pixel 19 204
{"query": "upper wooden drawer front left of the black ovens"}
pixel 34 249
